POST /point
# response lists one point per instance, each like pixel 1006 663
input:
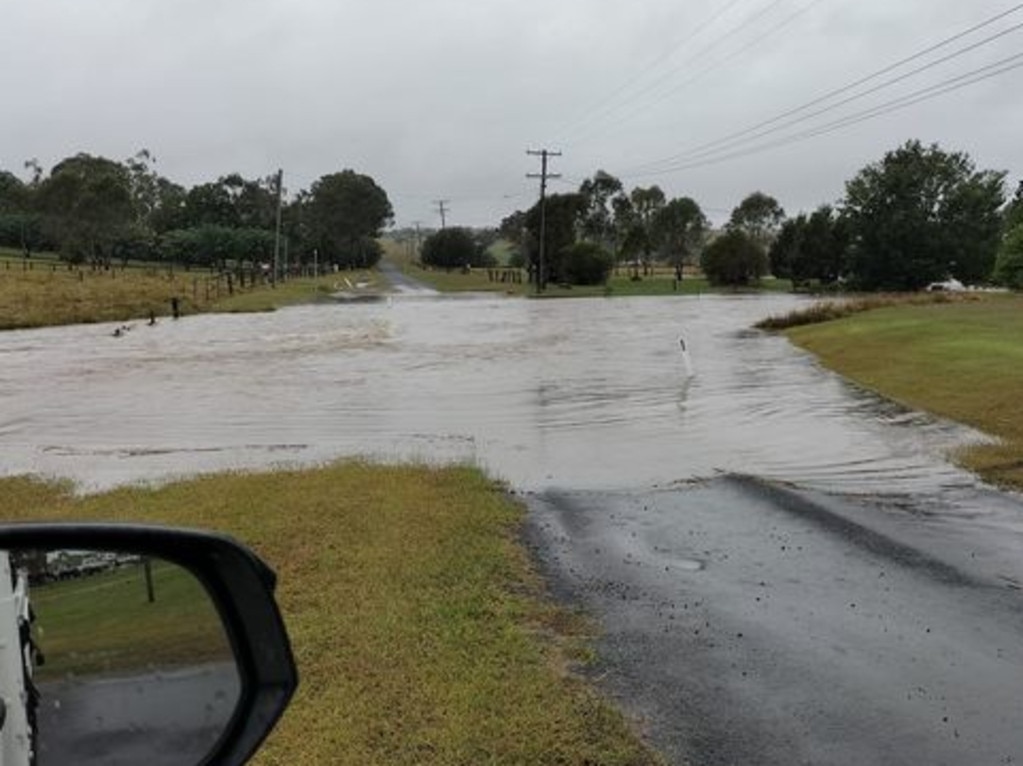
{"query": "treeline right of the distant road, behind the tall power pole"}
pixel 920 215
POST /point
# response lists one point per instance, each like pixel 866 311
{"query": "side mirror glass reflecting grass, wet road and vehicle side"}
pixel 110 659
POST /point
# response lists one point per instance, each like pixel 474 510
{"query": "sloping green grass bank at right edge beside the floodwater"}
pixel 962 361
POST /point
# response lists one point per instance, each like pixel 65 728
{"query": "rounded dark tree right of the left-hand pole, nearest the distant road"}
pixel 346 213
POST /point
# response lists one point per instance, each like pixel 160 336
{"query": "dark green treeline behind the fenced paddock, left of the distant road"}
pixel 99 211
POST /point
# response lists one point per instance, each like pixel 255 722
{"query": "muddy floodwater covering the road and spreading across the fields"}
pixel 588 394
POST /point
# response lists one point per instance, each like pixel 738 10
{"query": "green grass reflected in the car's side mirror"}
pixel 105 624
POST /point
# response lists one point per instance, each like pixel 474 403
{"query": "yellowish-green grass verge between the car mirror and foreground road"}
pixel 421 632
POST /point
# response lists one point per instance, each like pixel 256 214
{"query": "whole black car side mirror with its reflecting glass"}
pixel 126 645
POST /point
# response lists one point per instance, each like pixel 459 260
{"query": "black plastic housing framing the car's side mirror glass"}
pixel 241 588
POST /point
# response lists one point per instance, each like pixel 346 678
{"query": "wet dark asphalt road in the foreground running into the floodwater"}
pixel 746 623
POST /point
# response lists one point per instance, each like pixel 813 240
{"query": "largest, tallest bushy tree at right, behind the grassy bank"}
pixel 921 215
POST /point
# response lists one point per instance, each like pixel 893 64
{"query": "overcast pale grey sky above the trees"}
pixel 440 100
